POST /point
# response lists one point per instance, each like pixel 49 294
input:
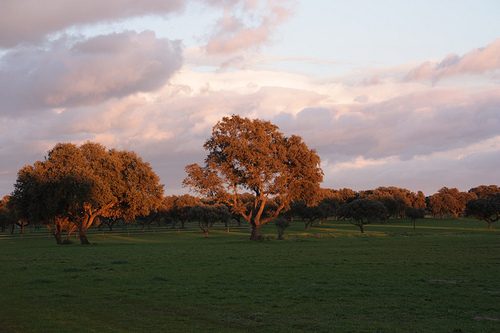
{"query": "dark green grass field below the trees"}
pixel 443 276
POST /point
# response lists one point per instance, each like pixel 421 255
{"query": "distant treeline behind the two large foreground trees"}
pixel 358 207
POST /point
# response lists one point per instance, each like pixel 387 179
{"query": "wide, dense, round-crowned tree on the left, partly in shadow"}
pixel 80 183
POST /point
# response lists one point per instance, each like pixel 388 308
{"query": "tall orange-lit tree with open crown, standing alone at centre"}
pixel 247 155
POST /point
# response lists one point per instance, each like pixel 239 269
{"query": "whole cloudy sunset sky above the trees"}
pixel 389 93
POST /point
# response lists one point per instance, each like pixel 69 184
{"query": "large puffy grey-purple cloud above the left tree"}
pixel 71 72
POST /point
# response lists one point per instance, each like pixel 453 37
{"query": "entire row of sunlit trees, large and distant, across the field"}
pixel 252 172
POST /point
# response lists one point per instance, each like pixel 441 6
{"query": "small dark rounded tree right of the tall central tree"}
pixel 363 211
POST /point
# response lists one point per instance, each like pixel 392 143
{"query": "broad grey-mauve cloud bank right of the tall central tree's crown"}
pixel 408 126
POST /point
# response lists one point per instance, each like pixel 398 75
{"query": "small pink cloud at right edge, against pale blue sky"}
pixel 477 61
